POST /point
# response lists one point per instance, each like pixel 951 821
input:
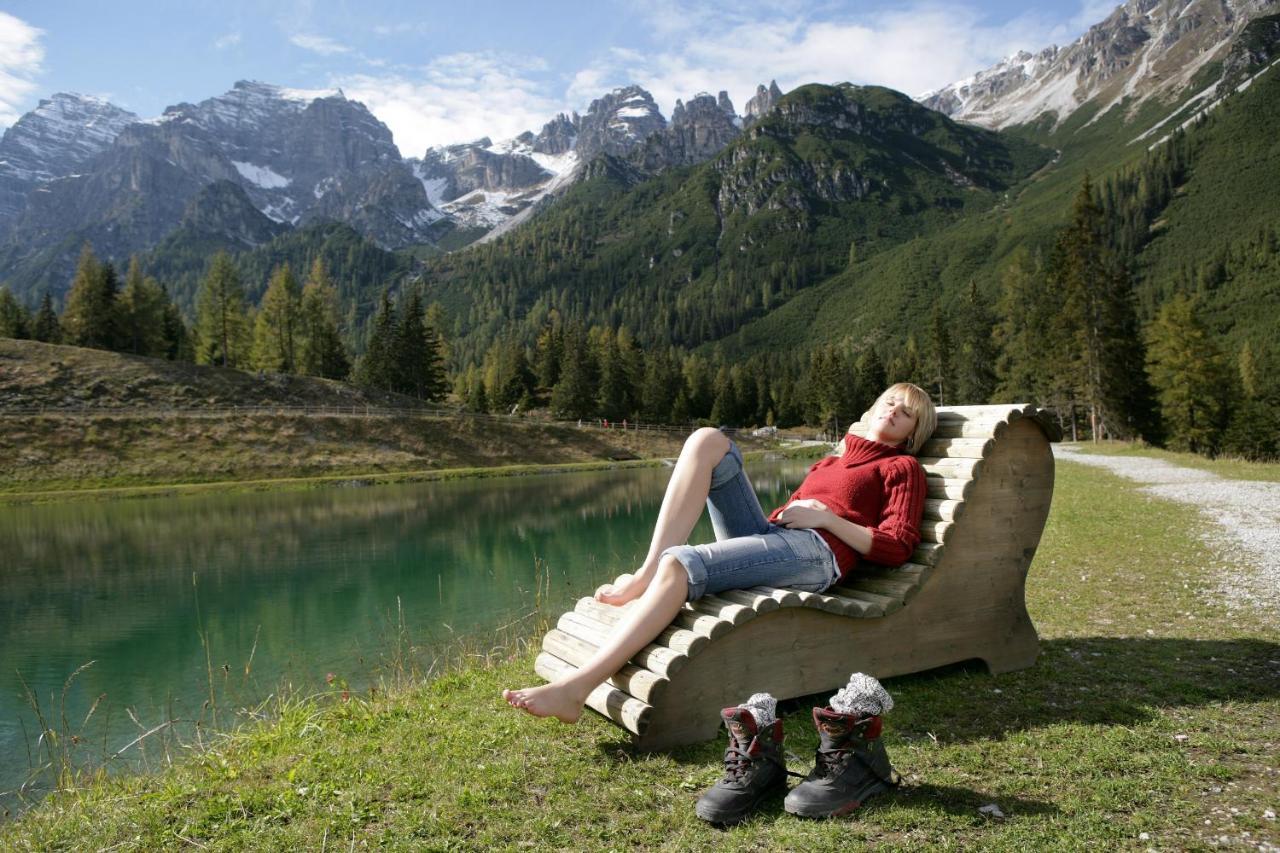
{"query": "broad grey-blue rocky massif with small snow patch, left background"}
pixel 296 156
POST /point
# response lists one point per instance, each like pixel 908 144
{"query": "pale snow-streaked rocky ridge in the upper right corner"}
pixel 1145 49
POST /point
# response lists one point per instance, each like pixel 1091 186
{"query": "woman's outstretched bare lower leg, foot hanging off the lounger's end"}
pixel 660 604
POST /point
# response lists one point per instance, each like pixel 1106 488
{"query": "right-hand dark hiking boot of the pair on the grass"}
pixel 851 767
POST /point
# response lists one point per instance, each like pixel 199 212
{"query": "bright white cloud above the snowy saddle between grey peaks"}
pixel 458 98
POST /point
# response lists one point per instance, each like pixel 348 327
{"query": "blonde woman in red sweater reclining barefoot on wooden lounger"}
pixel 866 501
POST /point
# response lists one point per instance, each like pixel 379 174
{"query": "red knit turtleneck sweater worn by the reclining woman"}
pixel 872 485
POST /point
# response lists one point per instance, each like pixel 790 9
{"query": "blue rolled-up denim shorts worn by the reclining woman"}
pixel 749 551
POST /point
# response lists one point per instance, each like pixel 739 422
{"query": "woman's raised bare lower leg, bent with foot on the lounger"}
pixel 682 507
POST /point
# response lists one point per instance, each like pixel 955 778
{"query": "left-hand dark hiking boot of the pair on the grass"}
pixel 753 769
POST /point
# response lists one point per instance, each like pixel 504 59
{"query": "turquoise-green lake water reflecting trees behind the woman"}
pixel 289 587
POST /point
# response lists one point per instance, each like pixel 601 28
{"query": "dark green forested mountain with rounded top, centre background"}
pixel 691 254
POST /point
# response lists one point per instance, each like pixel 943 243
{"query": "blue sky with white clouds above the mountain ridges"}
pixel 438 74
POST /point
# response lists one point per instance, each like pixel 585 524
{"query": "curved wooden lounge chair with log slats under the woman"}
pixel 962 596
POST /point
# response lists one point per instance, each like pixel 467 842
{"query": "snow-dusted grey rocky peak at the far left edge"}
pixel 53 142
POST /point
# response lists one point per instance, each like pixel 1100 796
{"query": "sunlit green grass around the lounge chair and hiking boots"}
pixel 1151 711
